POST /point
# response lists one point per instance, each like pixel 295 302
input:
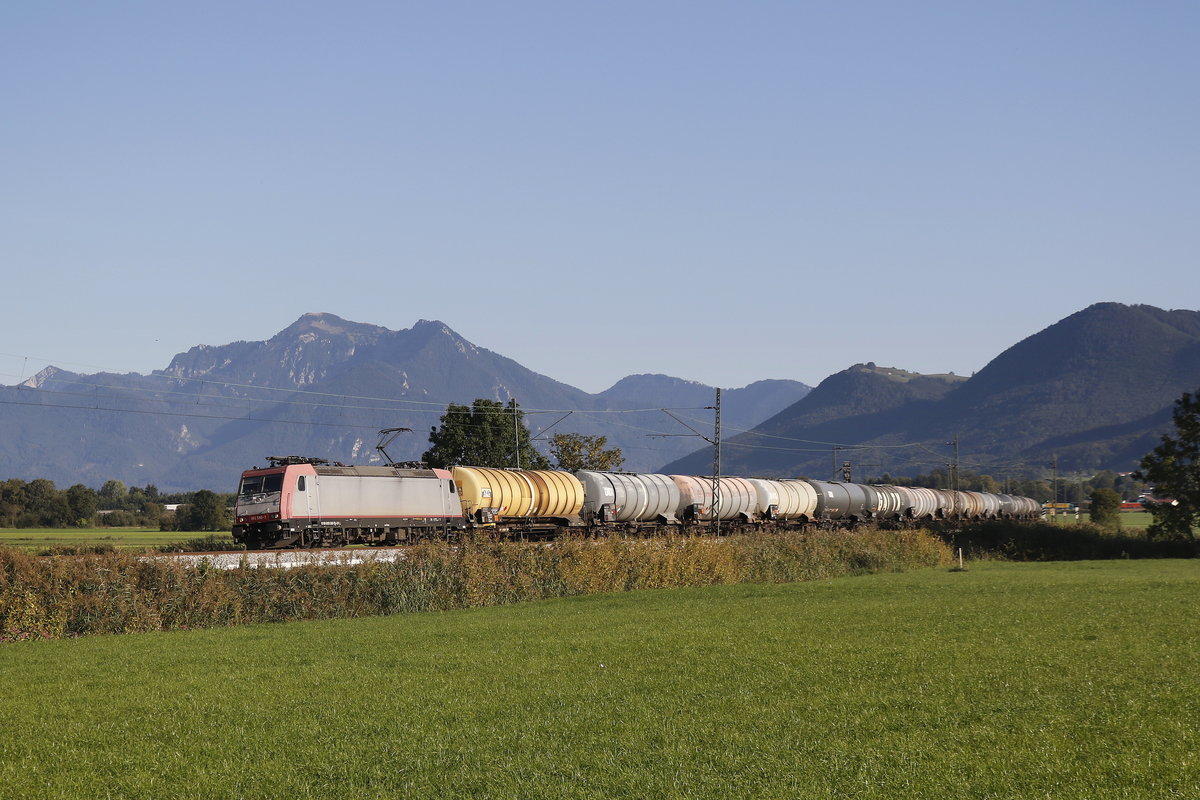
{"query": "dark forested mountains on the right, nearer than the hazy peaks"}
pixel 1091 392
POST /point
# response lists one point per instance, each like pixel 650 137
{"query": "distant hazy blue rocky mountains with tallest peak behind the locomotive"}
pixel 325 387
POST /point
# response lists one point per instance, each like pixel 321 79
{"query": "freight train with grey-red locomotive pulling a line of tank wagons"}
pixel 301 503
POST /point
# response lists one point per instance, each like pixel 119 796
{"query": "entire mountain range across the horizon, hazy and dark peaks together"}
pixel 1091 392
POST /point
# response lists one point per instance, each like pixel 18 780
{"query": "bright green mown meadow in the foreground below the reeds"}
pixel 1009 681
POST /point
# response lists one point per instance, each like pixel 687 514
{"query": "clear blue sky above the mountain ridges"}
pixel 723 193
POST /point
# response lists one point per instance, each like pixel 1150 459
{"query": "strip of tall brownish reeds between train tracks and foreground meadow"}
pixel 121 593
